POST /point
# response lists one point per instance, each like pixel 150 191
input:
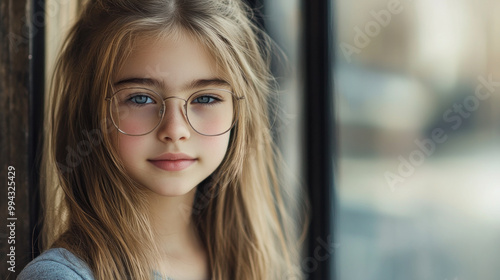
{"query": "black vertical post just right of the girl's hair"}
pixel 320 136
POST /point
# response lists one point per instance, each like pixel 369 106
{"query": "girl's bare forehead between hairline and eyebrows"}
pixel 172 60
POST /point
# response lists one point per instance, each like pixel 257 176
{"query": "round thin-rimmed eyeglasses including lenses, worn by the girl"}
pixel 138 111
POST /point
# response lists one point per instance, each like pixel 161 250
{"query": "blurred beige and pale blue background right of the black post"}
pixel 418 167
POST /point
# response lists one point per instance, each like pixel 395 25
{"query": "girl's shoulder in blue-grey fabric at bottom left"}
pixel 56 263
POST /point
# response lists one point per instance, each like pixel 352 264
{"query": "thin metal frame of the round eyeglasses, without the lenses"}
pixel 163 109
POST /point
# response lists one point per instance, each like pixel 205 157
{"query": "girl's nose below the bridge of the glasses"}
pixel 174 126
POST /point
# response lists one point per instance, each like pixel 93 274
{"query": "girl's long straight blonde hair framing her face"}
pixel 239 210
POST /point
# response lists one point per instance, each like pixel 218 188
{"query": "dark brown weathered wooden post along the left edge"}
pixel 20 119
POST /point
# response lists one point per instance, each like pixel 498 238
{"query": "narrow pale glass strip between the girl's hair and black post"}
pixel 282 22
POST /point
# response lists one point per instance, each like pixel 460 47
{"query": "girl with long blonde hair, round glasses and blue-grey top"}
pixel 160 144
